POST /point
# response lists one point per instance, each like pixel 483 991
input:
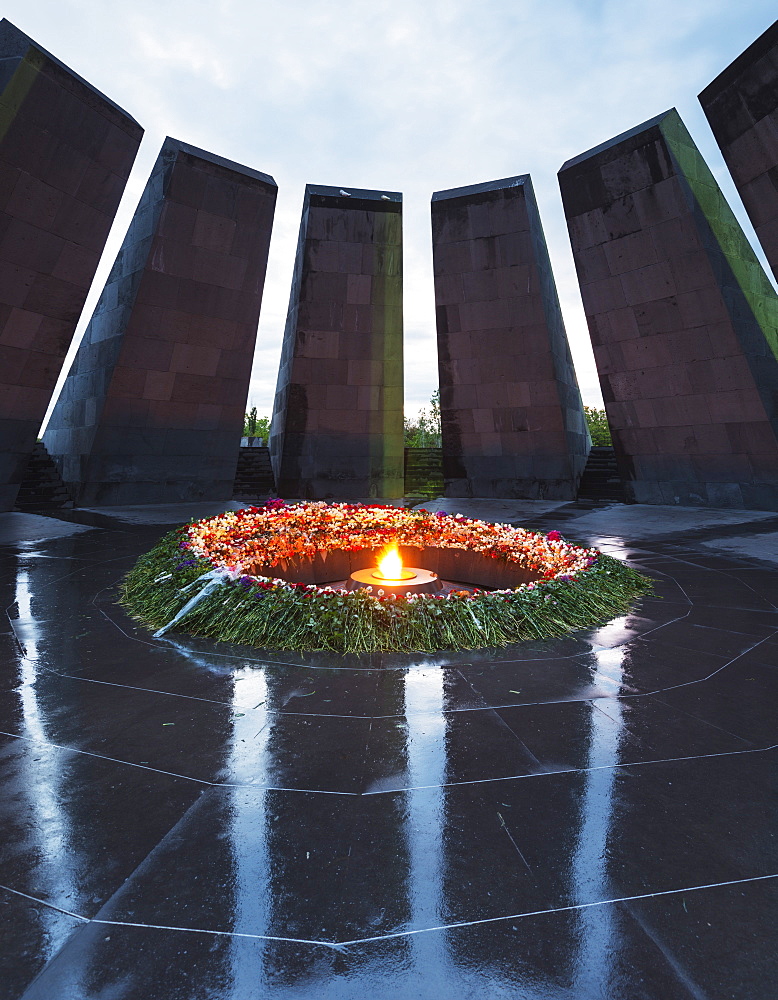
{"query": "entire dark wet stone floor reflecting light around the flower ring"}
pixel 591 817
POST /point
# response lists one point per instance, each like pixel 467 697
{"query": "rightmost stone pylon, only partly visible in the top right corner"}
pixel 741 105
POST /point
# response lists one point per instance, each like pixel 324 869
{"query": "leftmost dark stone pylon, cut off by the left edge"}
pixel 60 191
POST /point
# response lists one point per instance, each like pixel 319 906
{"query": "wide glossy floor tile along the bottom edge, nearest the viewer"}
pixel 595 953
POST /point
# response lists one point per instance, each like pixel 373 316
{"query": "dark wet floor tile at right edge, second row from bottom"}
pixel 647 828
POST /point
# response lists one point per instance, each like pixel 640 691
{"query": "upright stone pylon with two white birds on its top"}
pixel 337 428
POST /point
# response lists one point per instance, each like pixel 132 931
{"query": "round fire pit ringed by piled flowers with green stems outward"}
pixel 305 576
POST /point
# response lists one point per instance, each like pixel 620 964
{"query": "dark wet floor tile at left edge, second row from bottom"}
pixel 74 826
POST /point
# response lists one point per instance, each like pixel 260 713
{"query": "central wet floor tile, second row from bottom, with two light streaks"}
pixel 329 867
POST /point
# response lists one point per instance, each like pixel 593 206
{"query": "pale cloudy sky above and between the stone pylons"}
pixel 409 95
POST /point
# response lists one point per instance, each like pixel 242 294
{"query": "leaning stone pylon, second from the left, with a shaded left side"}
pixel 152 409
